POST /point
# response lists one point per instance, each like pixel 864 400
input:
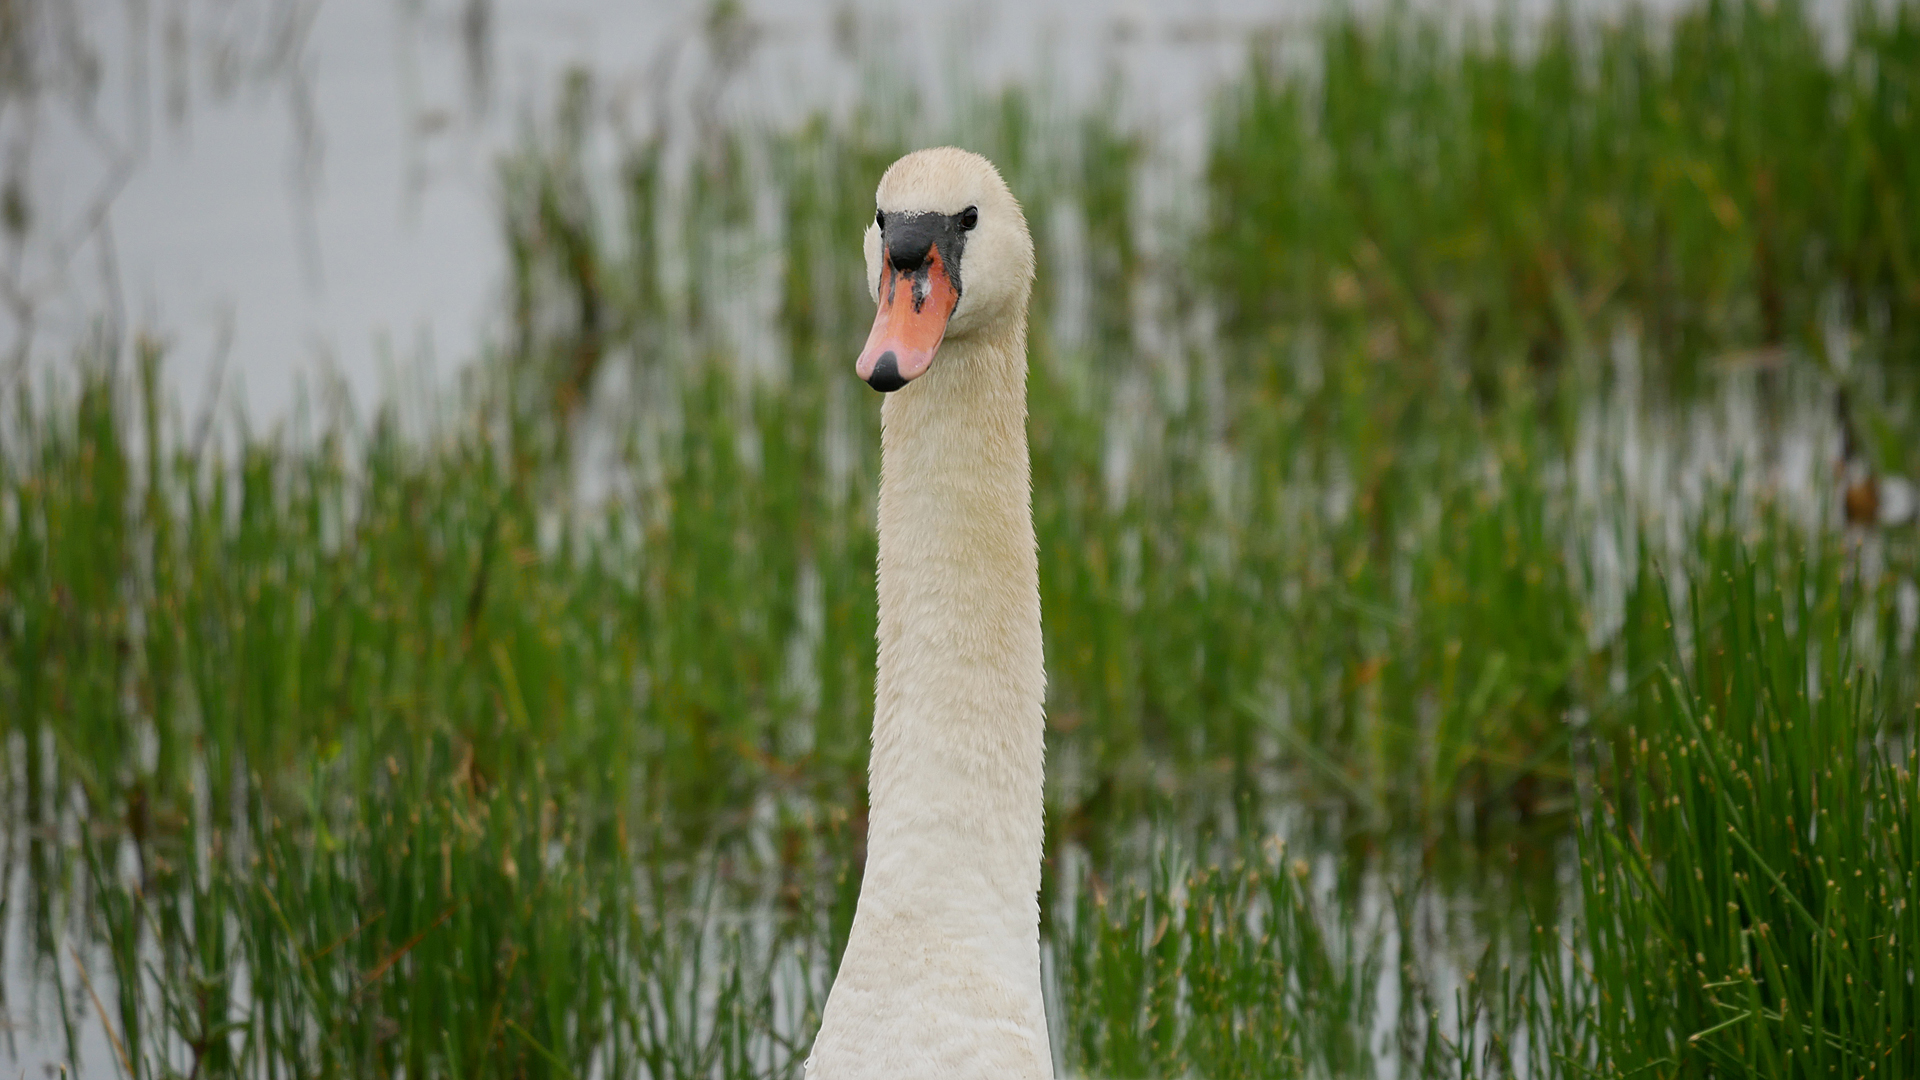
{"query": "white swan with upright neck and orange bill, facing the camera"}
pixel 942 975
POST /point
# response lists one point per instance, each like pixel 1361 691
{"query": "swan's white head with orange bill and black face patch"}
pixel 948 258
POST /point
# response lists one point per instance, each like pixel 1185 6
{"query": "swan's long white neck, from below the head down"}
pixel 942 977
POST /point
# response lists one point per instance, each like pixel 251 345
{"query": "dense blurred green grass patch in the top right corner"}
pixel 1717 176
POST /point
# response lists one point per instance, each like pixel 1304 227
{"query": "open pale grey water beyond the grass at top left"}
pixel 314 187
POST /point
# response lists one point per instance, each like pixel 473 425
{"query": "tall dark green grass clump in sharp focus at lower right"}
pixel 1750 887
